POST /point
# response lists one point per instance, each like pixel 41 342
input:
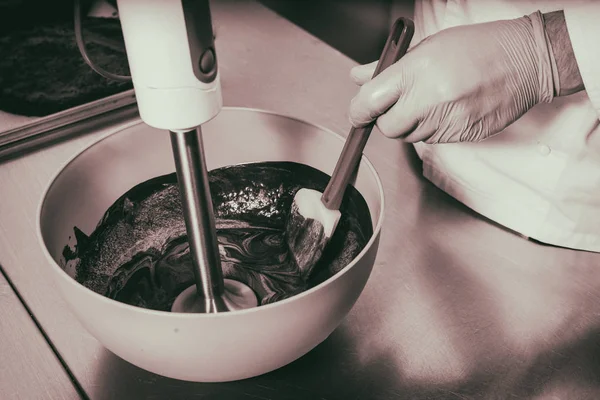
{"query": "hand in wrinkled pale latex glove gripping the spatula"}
pixel 464 83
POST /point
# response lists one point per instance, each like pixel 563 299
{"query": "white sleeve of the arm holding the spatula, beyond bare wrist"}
pixel 583 25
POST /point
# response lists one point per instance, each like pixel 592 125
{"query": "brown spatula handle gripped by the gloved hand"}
pixel 395 47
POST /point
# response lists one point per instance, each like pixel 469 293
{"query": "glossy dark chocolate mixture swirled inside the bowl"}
pixel 138 254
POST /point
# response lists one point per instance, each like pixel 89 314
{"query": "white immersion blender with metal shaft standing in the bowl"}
pixel 173 63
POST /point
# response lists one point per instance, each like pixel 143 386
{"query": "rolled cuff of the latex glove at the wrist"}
pixel 549 82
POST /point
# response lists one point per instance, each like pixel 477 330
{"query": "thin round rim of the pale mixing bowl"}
pixel 231 314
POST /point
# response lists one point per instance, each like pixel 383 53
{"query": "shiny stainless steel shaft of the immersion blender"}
pixel 198 212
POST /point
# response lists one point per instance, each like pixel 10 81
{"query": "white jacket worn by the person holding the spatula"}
pixel 541 176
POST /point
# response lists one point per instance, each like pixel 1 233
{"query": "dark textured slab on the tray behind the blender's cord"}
pixel 42 71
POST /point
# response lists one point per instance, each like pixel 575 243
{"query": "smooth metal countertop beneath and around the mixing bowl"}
pixel 456 307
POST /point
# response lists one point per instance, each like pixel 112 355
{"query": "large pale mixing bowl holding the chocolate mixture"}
pixel 202 347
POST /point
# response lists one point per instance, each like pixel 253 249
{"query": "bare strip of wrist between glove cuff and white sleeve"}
pixel 566 64
